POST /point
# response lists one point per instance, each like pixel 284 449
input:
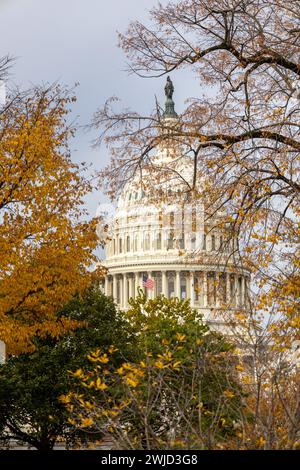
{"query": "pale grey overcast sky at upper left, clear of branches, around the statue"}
pixel 76 41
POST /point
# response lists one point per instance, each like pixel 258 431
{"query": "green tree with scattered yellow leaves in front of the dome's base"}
pixel 181 391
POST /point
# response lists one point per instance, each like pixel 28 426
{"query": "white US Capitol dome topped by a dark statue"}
pixel 168 245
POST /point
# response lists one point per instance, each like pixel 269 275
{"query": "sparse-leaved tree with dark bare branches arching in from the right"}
pixel 241 138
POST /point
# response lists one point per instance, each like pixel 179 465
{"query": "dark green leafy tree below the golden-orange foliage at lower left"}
pixel 31 384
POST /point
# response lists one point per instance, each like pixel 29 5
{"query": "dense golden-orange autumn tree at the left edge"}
pixel 46 245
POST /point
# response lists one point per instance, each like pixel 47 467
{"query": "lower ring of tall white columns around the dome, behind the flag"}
pixel 231 290
